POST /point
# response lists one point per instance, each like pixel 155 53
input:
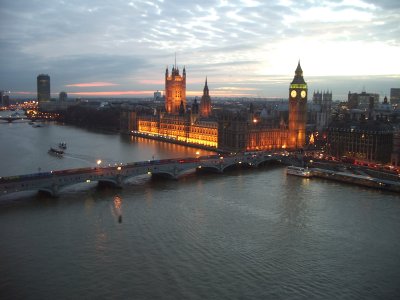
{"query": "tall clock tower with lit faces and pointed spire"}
pixel 297 110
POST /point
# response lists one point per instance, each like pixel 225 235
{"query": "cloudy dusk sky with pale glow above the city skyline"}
pixel 246 48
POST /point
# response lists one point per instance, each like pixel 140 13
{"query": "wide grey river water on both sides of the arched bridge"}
pixel 244 234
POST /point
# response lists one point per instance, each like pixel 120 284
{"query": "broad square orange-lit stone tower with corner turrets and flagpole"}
pixel 175 90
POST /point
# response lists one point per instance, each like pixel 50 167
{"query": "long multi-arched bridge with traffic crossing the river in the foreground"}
pixel 55 181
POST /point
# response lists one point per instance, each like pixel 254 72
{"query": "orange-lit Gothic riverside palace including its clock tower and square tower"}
pixel 230 130
